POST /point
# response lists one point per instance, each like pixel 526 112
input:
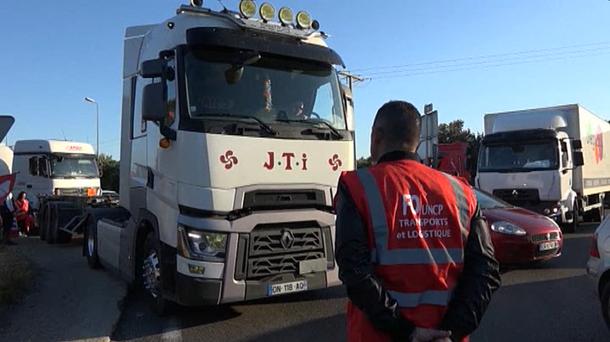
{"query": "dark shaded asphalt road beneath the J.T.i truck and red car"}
pixel 554 301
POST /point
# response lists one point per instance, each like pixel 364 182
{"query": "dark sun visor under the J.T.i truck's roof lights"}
pixel 265 43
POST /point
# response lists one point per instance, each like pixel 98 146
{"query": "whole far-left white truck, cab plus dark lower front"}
pixel 60 178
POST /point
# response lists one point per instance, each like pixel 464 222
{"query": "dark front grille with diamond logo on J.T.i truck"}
pixel 272 251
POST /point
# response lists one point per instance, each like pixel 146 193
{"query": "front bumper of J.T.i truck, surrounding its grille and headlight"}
pixel 210 283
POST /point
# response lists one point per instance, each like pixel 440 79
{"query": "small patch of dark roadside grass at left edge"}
pixel 15 275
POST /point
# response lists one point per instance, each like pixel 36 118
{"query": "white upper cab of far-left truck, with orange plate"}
pixel 55 168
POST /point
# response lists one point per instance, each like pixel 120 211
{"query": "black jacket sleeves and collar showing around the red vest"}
pixel 479 279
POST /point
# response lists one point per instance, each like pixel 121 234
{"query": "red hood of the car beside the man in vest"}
pixel 531 222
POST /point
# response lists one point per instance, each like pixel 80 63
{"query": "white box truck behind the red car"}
pixel 550 160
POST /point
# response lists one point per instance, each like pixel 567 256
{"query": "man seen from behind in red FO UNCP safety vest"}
pixel 413 250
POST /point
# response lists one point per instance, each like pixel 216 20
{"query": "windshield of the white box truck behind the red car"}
pixel 518 157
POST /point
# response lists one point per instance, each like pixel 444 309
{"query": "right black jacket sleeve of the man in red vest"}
pixel 479 279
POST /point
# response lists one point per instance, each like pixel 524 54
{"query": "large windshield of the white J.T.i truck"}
pixel 273 89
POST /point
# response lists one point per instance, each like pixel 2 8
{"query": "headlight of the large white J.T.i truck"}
pixel 202 245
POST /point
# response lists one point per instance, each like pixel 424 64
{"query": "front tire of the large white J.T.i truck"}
pixel 150 275
